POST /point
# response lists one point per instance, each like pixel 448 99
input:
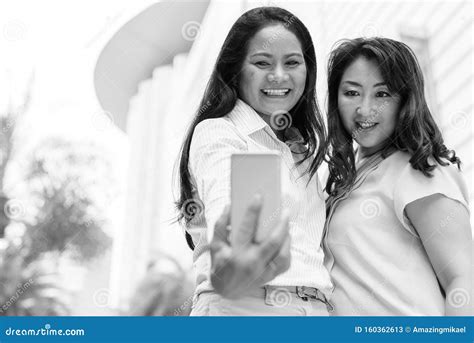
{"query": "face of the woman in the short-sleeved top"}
pixel 368 110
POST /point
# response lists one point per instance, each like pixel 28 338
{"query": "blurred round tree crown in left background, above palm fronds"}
pixel 71 187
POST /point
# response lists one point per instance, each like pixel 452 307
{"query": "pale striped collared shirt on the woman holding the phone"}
pixel 243 130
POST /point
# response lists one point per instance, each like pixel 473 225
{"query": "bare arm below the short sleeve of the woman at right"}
pixel 444 228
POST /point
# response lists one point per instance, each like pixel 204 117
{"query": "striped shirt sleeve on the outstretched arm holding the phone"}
pixel 213 143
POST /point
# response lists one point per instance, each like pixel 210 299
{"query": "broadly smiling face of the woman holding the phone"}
pixel 273 74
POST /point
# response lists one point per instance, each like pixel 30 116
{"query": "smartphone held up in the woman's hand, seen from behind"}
pixel 253 173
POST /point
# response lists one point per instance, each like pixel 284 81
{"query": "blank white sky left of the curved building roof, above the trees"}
pixel 60 42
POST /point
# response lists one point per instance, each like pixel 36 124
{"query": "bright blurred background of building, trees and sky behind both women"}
pixel 94 102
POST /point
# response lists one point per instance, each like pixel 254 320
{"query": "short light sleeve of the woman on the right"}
pixel 413 185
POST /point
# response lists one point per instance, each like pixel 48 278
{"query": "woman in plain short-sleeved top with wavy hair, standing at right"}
pixel 398 239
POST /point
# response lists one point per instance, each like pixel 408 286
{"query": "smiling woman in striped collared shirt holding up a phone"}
pixel 265 69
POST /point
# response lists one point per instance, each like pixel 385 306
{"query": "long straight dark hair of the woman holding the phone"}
pixel 222 92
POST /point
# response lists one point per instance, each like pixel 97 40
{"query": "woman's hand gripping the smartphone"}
pixel 235 271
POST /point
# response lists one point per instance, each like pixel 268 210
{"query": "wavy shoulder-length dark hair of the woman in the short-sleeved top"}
pixel 416 131
